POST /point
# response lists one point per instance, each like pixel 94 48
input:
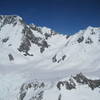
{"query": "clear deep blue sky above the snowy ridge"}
pixel 64 16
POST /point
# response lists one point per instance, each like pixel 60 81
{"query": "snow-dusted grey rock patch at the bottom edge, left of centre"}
pixel 35 86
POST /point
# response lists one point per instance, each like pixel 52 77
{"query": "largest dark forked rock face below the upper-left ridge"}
pixel 28 38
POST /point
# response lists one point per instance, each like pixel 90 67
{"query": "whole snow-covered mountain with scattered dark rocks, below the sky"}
pixel 37 63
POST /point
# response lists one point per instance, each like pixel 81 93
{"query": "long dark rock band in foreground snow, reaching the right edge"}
pixel 80 79
